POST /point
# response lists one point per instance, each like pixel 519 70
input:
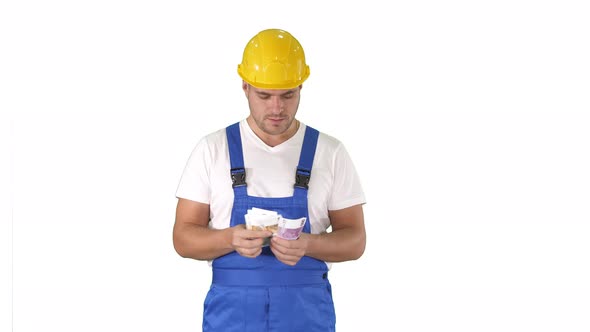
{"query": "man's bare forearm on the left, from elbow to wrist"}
pixel 202 243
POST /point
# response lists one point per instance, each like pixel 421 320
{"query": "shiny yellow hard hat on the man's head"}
pixel 273 59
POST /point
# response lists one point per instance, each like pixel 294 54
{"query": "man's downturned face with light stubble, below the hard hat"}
pixel 273 111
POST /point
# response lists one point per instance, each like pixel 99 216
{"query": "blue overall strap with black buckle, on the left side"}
pixel 236 158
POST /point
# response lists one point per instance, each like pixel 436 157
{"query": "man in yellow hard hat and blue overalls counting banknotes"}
pixel 274 163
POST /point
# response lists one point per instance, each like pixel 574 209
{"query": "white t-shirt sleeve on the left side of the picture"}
pixel 194 183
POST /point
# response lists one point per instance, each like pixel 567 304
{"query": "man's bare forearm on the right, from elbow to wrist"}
pixel 338 246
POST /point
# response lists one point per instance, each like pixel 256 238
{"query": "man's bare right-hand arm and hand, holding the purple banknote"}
pixel 345 242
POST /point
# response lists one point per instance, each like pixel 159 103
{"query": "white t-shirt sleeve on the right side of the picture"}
pixel 347 189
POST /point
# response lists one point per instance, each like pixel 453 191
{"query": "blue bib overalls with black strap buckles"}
pixel 263 294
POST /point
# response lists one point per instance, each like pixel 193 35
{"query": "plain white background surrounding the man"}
pixel 468 122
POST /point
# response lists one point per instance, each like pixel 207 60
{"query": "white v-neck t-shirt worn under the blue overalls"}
pixel 270 172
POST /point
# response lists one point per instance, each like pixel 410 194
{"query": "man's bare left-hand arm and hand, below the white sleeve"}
pixel 193 238
